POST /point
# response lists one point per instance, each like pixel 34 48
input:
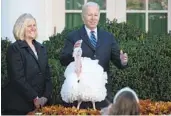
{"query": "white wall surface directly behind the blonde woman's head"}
pixel 40 9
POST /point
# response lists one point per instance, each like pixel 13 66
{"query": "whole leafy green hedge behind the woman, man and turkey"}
pixel 149 71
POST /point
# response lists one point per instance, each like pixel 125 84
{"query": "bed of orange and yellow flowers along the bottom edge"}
pixel 147 107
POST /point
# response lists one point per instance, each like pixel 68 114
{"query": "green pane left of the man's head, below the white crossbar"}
pixel 73 20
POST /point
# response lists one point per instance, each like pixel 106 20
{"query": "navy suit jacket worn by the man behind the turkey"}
pixel 107 49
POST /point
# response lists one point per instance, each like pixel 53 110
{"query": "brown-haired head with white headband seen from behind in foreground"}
pixel 125 103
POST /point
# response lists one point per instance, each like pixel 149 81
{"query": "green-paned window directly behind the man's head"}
pixel 73 9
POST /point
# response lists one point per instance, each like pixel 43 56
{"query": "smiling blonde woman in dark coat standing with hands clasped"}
pixel 30 84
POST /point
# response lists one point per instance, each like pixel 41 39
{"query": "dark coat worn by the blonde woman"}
pixel 29 77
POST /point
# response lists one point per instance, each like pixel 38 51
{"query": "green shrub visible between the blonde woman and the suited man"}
pixel 54 47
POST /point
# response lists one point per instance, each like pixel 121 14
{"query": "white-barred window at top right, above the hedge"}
pixel 148 15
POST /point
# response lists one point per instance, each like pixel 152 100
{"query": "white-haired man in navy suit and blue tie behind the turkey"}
pixel 96 44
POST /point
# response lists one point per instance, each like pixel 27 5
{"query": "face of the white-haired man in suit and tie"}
pixel 91 17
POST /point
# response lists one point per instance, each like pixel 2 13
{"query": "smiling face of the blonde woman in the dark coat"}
pixel 31 29
